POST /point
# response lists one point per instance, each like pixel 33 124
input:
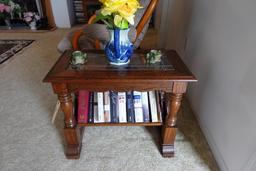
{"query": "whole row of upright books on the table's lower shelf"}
pixel 118 107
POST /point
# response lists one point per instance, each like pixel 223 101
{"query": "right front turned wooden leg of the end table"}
pixel 169 127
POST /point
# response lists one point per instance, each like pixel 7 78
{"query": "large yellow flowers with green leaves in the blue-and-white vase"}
pixel 118 13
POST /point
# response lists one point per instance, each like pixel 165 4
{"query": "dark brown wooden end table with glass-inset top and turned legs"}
pixel 170 76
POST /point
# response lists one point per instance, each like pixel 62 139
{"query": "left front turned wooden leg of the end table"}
pixel 72 132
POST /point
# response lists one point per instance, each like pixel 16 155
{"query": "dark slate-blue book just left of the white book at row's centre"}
pixel 113 107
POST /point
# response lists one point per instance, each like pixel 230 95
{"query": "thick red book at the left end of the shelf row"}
pixel 83 106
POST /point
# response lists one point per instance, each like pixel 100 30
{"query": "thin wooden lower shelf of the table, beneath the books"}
pixel 122 124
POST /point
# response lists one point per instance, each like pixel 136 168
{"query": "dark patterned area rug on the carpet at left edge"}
pixel 8 48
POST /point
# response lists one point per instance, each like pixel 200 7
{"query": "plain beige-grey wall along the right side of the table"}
pixel 221 52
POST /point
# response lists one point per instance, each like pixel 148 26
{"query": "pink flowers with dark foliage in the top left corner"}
pixel 8 9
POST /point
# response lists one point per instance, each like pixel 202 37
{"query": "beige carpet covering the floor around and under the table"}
pixel 28 140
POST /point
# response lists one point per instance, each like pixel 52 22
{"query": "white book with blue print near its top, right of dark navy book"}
pixel 138 112
